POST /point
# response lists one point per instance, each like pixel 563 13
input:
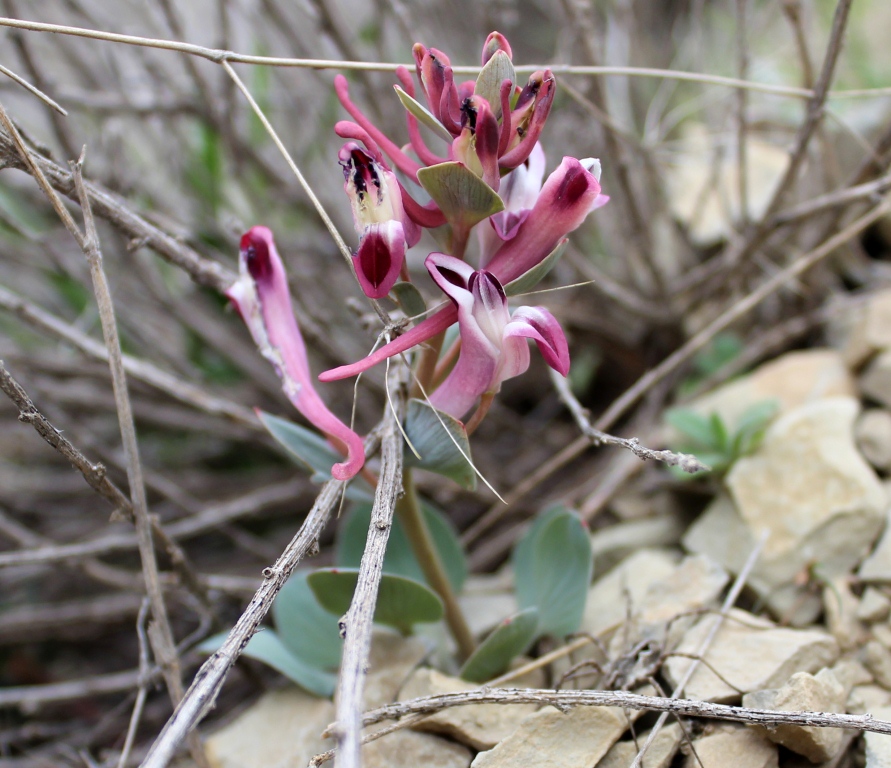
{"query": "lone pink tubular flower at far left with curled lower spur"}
pixel 263 299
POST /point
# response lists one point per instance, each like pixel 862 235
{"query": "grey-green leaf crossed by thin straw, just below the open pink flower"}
pixel 437 436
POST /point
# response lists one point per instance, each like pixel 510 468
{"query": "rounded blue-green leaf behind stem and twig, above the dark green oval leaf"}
pixel 400 559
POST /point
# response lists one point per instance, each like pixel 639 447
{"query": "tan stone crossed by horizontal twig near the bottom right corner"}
pixel 804 693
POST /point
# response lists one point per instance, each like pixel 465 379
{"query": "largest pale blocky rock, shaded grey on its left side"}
pixel 810 489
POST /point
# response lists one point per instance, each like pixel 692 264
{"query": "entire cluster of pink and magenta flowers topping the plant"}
pixel 488 176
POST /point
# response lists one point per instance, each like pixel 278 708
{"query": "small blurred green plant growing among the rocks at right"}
pixel 713 442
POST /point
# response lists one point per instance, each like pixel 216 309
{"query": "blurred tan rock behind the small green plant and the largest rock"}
pixel 790 381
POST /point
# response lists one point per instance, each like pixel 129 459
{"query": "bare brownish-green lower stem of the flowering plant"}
pixel 412 517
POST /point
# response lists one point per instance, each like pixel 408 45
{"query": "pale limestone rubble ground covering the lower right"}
pixel 810 632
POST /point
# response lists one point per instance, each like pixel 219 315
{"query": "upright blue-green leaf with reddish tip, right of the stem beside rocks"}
pixel 553 565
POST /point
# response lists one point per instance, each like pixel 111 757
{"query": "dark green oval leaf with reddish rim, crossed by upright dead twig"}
pixel 401 602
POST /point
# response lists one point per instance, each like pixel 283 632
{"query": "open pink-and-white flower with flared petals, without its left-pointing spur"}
pixel 494 344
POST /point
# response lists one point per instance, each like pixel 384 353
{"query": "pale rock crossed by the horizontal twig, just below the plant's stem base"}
pixel 479 726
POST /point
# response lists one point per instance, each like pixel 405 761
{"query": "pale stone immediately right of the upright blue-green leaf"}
pixel 620 591
